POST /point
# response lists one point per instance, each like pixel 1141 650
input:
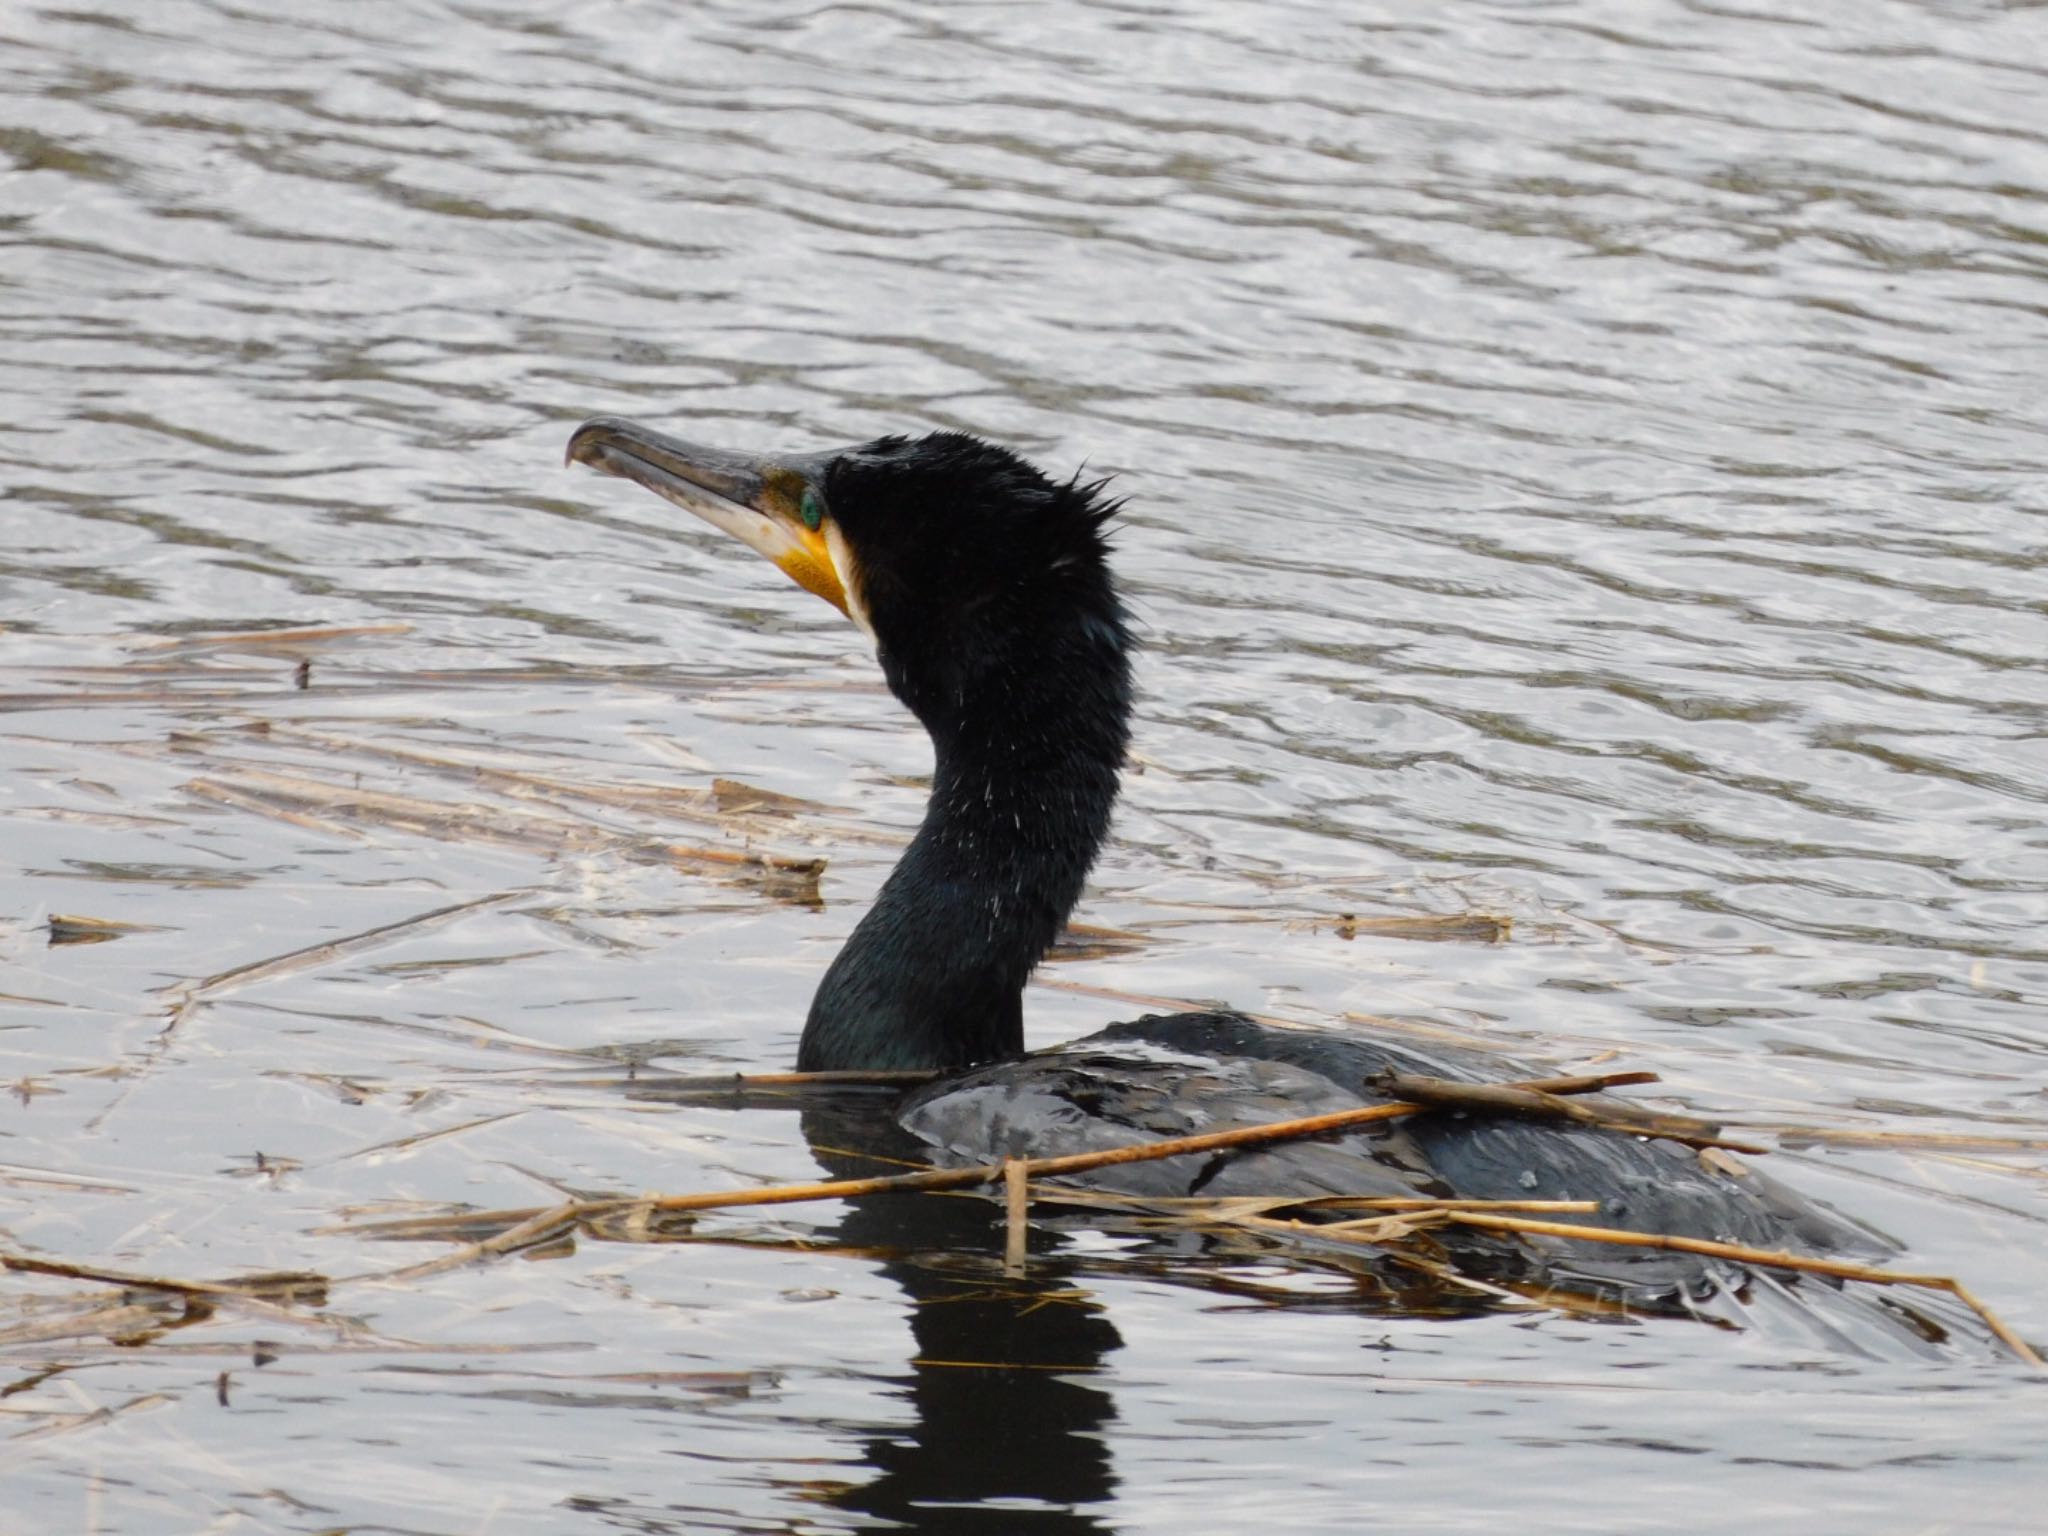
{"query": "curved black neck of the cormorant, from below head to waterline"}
pixel 1029 744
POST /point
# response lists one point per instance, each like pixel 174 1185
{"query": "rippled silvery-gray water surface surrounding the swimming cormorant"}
pixel 1586 468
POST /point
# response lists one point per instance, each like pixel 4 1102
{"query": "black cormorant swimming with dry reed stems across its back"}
pixel 988 595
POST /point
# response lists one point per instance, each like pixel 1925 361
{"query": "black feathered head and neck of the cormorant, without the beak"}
pixel 1023 681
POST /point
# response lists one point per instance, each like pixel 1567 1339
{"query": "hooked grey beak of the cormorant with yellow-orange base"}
pixel 757 501
